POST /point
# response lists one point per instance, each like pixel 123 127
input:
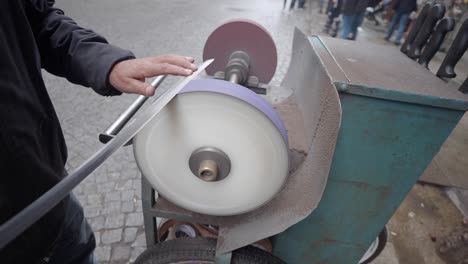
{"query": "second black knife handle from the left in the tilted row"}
pixel 435 13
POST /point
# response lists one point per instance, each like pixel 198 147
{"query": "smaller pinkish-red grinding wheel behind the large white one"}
pixel 246 36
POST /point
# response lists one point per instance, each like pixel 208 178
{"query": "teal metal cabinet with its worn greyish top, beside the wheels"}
pixel 383 147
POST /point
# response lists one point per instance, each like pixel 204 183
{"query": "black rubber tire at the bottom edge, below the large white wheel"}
pixel 201 250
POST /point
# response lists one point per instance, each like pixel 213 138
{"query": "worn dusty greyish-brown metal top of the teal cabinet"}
pixel 377 66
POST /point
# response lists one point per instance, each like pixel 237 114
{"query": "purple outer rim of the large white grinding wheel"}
pixel 241 93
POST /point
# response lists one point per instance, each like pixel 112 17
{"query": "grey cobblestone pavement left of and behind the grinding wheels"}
pixel 111 196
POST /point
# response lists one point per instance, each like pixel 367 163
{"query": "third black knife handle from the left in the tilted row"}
pixel 445 25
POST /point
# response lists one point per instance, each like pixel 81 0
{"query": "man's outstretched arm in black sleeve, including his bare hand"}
pixel 86 58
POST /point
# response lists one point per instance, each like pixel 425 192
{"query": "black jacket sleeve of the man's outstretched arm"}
pixel 70 51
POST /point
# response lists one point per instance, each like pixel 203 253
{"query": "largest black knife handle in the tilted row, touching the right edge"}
pixel 456 51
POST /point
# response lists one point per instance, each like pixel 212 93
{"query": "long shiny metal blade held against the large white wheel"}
pixel 24 219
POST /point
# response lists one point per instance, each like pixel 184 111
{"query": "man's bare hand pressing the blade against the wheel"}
pixel 129 76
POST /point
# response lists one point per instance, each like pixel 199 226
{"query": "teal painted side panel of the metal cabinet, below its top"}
pixel 383 148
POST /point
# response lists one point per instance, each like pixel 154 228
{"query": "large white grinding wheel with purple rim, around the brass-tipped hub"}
pixel 225 116
